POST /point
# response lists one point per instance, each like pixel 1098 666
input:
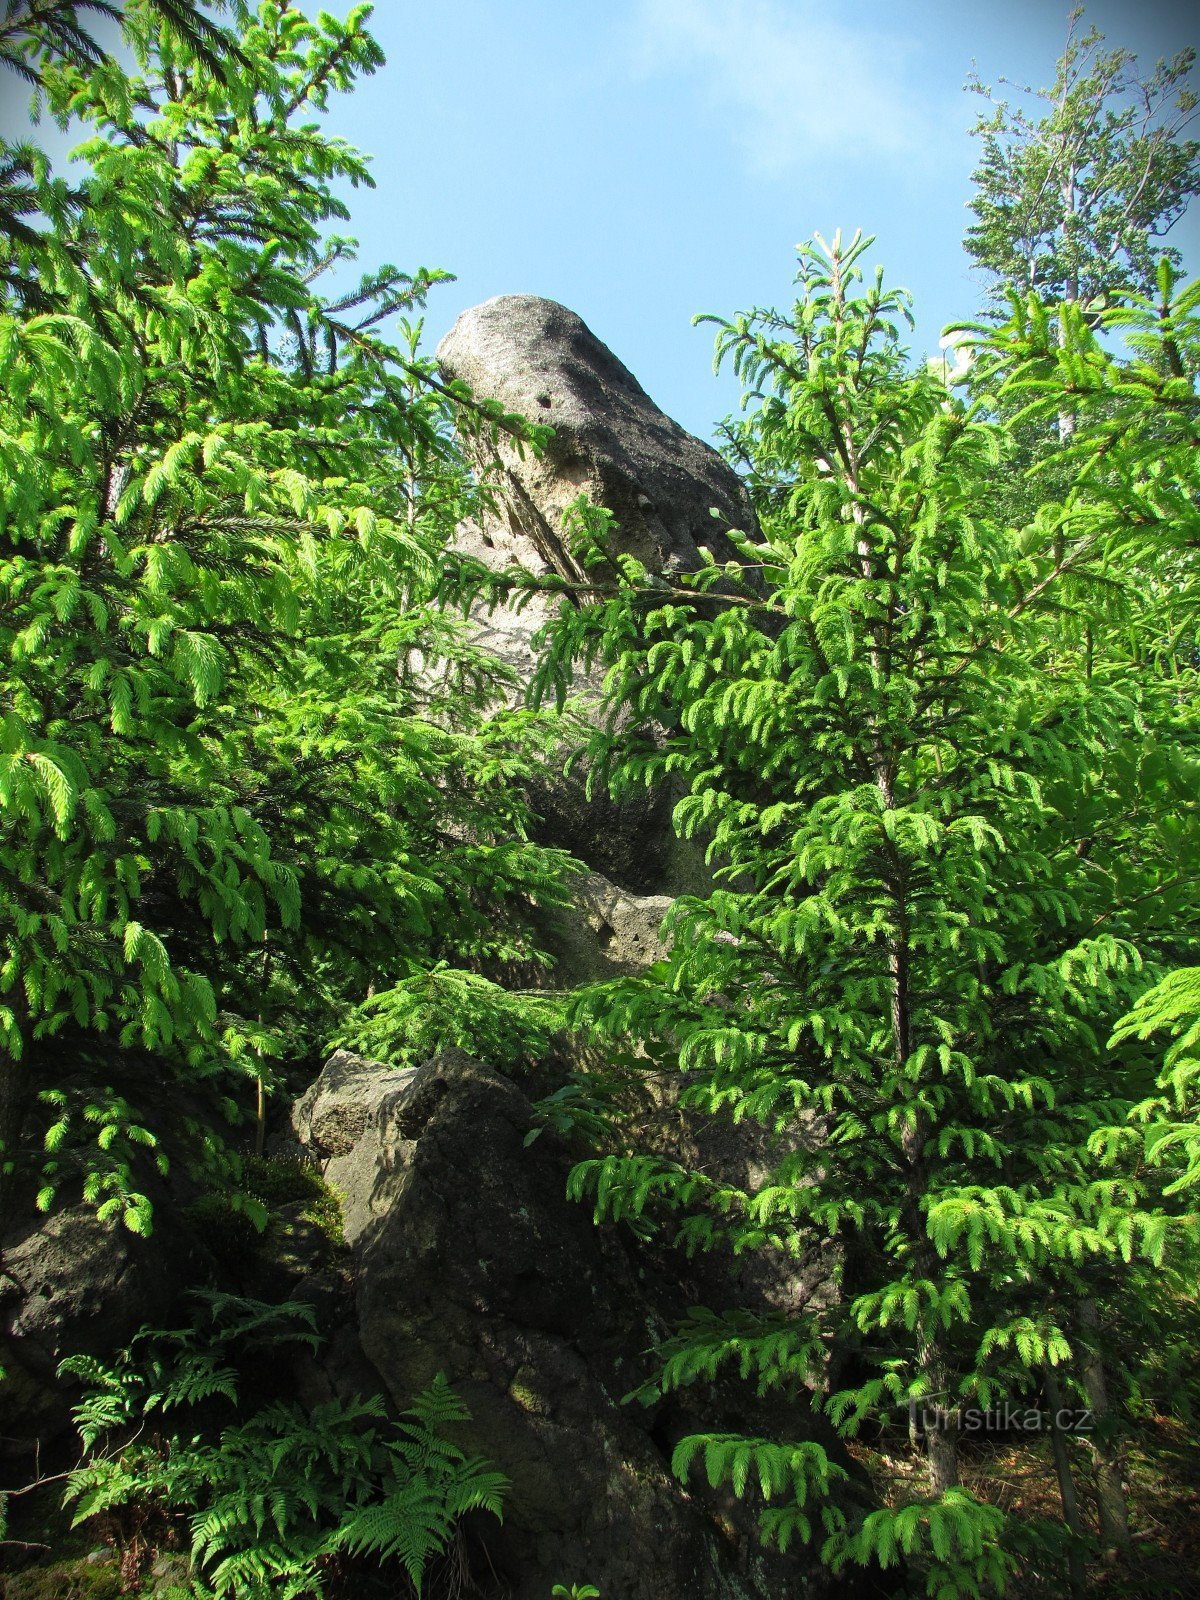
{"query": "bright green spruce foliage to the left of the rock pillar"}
pixel 244 764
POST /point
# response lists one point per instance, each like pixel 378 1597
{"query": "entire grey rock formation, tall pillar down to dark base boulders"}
pixel 465 1254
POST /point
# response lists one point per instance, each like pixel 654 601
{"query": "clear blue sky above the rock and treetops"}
pixel 644 161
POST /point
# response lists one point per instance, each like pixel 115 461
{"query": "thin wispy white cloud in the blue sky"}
pixel 799 82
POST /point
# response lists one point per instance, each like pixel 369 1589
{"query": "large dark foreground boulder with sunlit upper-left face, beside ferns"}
pixel 470 1260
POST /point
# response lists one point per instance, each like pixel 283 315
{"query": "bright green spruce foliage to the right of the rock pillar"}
pixel 919 745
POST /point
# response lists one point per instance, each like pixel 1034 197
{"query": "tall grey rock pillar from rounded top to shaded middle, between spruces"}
pixel 662 486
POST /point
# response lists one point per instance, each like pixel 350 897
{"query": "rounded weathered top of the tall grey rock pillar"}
pixel 610 441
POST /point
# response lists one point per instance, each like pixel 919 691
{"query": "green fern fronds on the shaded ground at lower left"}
pixel 274 1498
